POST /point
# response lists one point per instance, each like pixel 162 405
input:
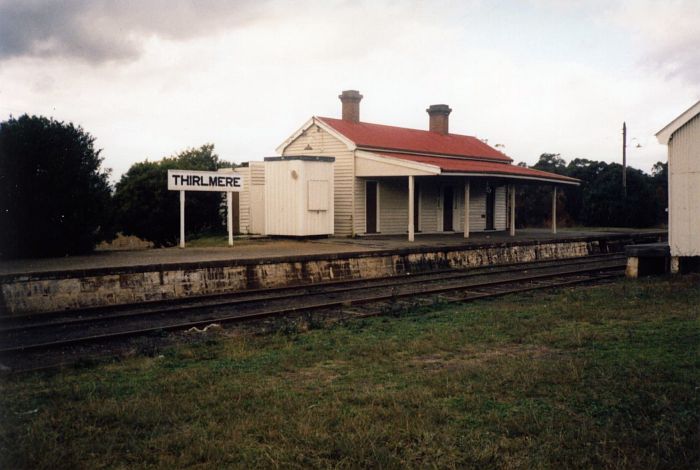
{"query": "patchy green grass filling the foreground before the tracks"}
pixel 592 377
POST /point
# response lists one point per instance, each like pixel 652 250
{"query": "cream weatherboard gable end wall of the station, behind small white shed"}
pixel 316 141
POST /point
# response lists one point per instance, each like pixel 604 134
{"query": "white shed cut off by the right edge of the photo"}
pixel 682 136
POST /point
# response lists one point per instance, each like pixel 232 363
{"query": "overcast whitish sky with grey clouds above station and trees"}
pixel 151 78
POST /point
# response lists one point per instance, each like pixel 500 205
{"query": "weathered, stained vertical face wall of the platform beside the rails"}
pixel 46 292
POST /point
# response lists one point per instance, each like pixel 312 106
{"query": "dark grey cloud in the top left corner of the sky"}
pixel 101 30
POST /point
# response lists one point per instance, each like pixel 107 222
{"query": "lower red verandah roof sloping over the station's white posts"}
pixel 456 165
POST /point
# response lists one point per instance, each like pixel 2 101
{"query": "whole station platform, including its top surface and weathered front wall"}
pixel 125 277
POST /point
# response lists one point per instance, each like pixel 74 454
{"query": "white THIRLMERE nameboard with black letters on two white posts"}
pixel 189 180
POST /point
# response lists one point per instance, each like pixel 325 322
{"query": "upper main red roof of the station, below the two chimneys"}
pixel 377 136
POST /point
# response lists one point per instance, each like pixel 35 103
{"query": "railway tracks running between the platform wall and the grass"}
pixel 354 298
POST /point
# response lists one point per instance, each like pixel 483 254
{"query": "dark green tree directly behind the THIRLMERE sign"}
pixel 146 208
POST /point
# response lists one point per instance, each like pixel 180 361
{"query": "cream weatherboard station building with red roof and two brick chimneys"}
pixel 395 180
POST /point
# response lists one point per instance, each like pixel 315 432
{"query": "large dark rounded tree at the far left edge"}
pixel 54 196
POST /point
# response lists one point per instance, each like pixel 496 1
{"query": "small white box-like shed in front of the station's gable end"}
pixel 299 196
